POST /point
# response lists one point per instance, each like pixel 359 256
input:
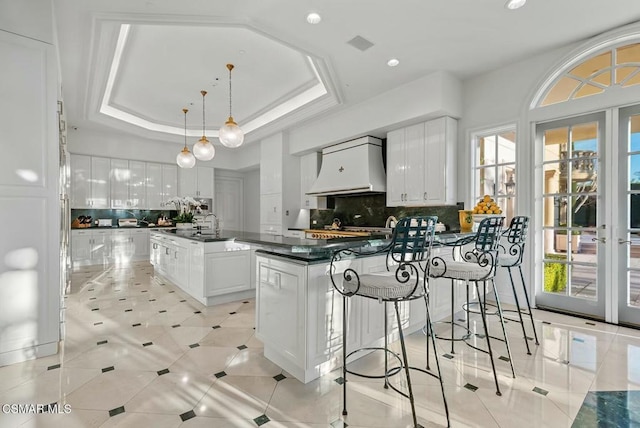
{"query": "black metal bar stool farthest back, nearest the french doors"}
pixel 511 255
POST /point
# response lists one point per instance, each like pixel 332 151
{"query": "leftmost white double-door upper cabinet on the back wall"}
pixel 90 182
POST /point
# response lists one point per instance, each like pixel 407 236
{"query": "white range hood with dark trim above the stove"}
pixel 352 167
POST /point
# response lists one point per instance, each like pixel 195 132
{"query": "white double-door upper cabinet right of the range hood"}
pixel 421 164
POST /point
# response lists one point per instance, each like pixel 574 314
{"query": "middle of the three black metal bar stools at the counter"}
pixel 477 265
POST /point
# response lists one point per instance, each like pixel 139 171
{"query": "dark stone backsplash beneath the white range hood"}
pixel 371 211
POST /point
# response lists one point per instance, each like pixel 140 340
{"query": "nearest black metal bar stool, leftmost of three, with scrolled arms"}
pixel 407 260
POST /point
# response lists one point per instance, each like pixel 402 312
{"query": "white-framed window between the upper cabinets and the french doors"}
pixel 495 169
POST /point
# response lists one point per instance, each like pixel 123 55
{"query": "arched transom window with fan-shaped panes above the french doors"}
pixel 618 66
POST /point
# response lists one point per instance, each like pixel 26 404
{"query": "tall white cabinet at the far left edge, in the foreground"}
pixel 30 285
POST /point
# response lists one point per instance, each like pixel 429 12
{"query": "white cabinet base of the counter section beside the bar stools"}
pixel 299 315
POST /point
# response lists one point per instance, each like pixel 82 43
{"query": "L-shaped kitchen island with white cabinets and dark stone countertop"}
pixel 298 312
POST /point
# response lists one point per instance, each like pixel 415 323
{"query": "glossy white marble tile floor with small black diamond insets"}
pixel 127 364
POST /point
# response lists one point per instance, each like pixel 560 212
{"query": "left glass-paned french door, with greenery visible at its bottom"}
pixel 575 209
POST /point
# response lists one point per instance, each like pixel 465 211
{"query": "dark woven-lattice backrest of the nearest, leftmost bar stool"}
pixel 412 239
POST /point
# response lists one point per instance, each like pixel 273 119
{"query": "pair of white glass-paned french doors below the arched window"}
pixel 591 215
